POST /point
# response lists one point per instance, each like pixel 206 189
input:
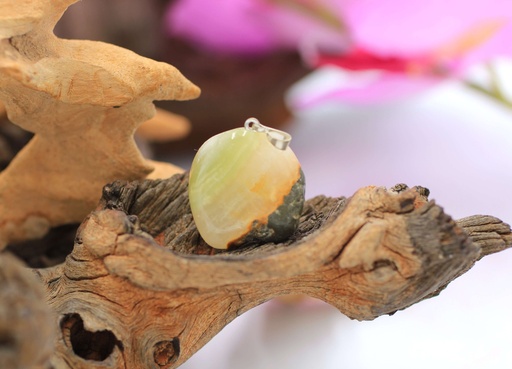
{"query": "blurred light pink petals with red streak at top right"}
pixel 413 45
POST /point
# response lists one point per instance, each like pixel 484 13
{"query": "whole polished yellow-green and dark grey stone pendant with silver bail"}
pixel 246 186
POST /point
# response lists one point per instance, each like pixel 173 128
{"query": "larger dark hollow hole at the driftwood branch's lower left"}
pixel 96 346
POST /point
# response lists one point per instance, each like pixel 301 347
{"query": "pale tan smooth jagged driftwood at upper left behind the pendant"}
pixel 83 100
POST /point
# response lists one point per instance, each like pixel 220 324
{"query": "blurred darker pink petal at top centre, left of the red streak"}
pixel 251 27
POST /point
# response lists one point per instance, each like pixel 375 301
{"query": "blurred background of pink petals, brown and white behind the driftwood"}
pixel 373 93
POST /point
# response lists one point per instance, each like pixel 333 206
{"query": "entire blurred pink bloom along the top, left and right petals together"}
pixel 407 45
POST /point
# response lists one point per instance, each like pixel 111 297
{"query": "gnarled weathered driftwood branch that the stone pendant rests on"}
pixel 142 290
